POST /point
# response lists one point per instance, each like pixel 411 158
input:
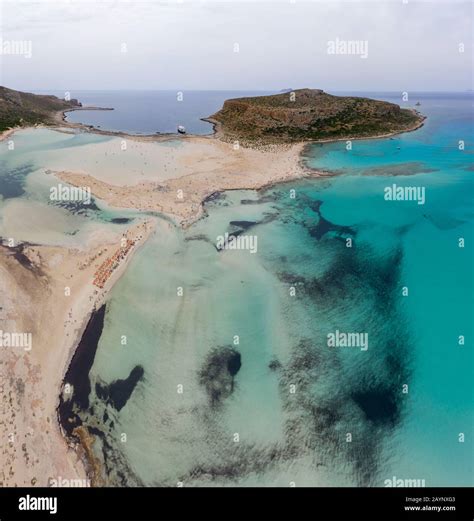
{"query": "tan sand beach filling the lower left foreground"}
pixel 48 292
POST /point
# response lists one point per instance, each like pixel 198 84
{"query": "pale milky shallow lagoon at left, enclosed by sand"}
pixel 27 213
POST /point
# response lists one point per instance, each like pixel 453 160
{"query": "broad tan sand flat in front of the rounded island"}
pixel 195 170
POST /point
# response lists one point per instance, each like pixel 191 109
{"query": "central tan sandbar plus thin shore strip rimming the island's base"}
pixel 202 165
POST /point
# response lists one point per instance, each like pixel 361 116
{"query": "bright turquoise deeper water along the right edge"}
pixel 437 272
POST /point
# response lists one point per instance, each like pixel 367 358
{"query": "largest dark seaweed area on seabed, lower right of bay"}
pixel 366 402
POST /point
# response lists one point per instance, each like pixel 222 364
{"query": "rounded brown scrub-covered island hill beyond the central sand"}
pixel 308 114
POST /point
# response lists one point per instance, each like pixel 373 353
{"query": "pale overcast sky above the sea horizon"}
pixel 395 45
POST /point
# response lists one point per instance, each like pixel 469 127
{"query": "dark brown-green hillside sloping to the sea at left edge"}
pixel 23 108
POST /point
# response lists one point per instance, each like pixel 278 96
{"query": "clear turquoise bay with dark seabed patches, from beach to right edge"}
pixel 290 398
